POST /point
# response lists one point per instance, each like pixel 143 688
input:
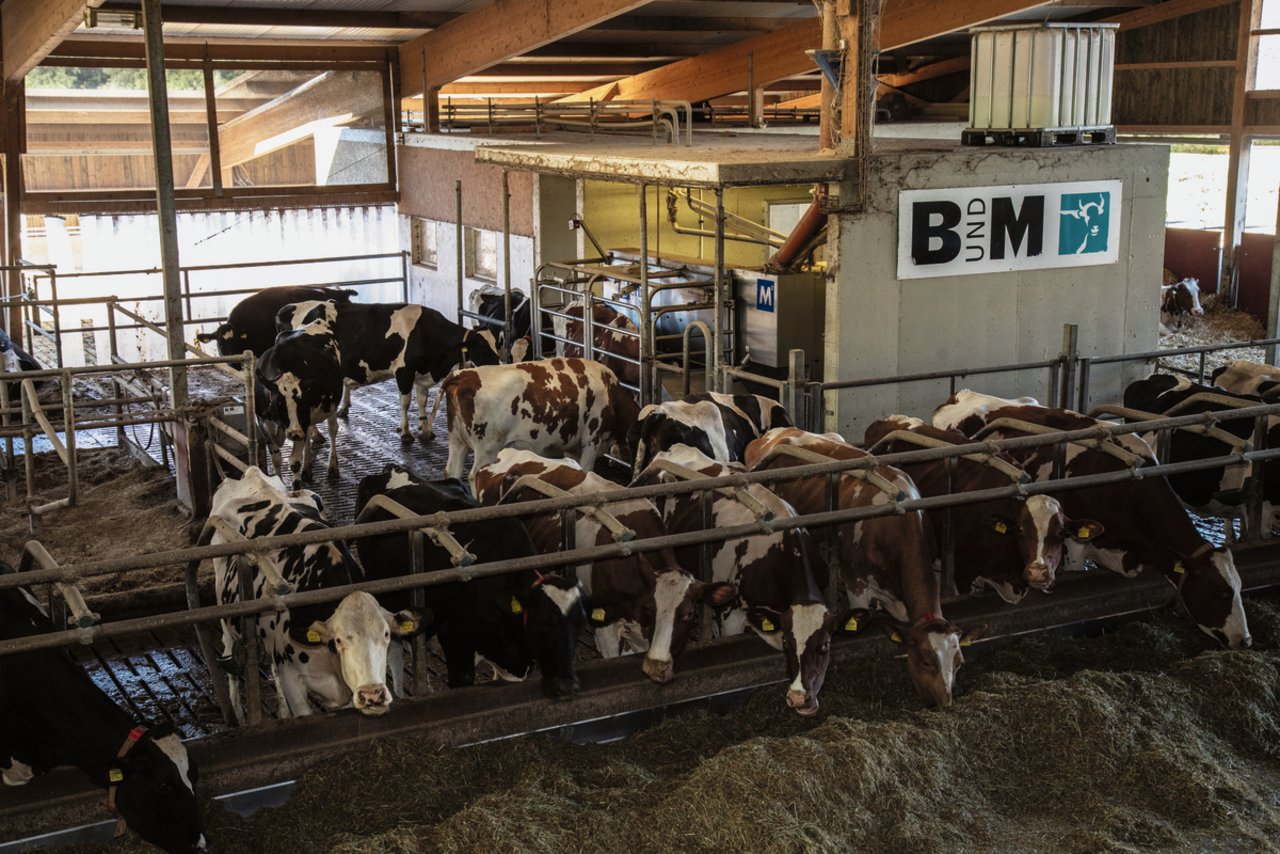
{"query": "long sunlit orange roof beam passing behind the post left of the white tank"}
pixel 781 53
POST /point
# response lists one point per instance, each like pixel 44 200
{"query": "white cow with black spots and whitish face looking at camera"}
pixel 337 652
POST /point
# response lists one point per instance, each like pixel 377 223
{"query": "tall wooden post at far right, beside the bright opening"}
pixel 1238 159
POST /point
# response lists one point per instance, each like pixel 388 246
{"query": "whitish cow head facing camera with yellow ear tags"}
pixel 359 633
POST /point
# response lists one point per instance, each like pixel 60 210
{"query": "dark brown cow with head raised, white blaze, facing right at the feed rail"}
pixel 1007 545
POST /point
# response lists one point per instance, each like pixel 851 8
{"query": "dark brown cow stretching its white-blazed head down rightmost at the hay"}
pixel 1146 526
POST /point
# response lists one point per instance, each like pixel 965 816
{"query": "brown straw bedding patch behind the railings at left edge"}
pixel 126 508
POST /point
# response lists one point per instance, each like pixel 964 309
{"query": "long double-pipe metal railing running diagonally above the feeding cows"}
pixel 89 632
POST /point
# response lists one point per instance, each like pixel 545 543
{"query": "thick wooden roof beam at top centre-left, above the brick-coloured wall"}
pixel 497 33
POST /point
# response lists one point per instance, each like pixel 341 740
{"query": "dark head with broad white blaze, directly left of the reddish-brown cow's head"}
pixel 803 632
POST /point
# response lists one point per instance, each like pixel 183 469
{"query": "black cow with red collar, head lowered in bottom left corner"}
pixel 52 715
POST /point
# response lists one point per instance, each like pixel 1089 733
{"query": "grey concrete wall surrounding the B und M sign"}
pixel 879 326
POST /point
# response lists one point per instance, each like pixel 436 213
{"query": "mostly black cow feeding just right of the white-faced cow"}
pixel 511 620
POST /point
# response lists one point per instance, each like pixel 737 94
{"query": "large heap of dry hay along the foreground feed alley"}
pixel 1146 739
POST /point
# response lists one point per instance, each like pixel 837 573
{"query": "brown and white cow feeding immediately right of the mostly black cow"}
pixel 646 600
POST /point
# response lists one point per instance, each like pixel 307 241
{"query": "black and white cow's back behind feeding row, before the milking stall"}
pixel 720 426
